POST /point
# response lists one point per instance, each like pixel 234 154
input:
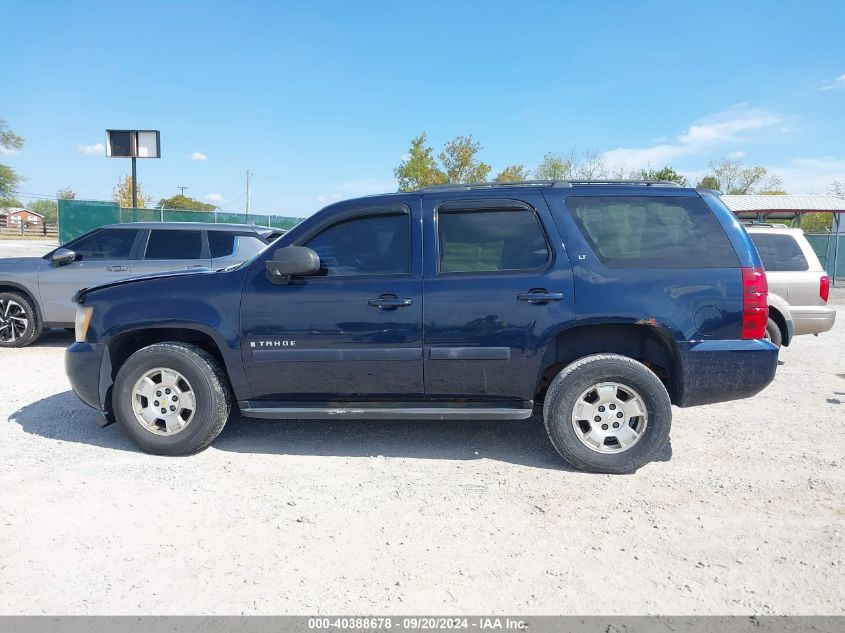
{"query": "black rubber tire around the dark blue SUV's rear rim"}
pixel 574 380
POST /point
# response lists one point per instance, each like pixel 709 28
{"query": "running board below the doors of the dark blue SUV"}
pixel 287 410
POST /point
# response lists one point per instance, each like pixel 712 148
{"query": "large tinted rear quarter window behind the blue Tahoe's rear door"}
pixel 652 232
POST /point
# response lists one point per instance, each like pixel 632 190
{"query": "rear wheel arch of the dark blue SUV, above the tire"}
pixel 650 344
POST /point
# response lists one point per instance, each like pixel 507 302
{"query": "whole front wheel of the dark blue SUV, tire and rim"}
pixel 171 399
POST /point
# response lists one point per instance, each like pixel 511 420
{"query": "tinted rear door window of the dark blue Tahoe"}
pixel 490 240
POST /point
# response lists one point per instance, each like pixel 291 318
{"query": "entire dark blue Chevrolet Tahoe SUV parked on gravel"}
pixel 599 304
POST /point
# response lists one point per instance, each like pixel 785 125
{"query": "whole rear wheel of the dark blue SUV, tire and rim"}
pixel 607 413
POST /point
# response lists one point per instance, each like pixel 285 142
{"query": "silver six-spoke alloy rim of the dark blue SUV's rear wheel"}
pixel 609 417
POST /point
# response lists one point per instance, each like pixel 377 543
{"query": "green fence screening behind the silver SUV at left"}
pixel 80 216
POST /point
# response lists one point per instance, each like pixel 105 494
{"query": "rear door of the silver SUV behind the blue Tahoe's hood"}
pixel 173 249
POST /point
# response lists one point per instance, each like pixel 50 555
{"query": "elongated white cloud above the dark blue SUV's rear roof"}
pixel 731 126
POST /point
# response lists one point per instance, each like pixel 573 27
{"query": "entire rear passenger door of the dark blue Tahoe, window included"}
pixel 497 285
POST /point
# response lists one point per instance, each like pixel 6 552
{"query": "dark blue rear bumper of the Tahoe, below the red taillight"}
pixel 716 371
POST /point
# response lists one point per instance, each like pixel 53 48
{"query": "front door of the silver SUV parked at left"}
pixel 104 255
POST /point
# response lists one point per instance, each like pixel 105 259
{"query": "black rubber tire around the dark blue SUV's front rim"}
pixel 211 395
